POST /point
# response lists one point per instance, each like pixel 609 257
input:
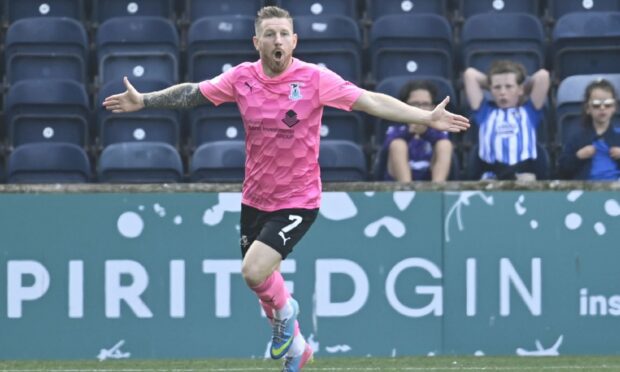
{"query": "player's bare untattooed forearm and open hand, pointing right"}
pixel 389 108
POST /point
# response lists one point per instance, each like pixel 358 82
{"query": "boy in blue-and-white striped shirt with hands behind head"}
pixel 507 125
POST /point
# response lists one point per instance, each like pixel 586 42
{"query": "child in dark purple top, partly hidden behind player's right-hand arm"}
pixel 417 152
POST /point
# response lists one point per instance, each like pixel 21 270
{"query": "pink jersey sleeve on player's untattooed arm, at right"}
pixel 336 92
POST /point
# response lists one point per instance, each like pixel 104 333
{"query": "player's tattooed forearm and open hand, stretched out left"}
pixel 178 96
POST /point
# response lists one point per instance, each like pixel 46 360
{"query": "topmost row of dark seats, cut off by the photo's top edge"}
pixel 97 11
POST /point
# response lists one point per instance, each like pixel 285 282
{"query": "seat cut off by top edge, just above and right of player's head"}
pixel 347 8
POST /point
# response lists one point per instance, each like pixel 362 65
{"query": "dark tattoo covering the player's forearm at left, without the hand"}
pixel 179 96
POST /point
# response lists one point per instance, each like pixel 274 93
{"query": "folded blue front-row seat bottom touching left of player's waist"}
pixel 219 161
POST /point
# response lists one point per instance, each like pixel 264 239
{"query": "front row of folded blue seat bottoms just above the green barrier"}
pixel 156 162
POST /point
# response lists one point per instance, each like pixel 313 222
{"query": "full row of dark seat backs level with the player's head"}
pixel 422 44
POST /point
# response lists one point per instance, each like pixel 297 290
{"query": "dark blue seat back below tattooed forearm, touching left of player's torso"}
pixel 208 123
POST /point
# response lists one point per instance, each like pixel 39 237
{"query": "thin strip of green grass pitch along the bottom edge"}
pixel 437 364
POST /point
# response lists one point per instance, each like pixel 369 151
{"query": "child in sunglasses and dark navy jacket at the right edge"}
pixel 593 151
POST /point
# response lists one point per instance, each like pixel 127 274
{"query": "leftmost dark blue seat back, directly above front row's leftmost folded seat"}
pixel 47 110
